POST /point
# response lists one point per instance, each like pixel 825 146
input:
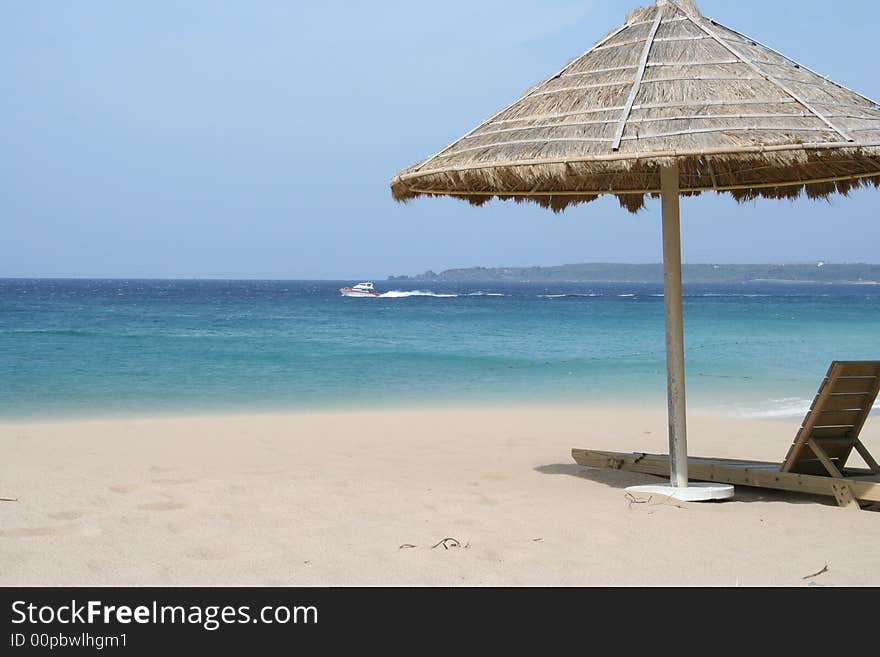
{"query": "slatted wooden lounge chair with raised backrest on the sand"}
pixel 816 460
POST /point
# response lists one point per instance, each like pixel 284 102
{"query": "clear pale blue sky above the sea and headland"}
pixel 256 139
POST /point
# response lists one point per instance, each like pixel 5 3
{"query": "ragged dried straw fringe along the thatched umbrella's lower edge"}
pixel 782 175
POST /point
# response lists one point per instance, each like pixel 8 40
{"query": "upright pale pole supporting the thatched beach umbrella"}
pixel 674 326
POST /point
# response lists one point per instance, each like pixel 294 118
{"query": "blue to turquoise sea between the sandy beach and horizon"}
pixel 110 347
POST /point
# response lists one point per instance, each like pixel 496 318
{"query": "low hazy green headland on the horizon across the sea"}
pixel 815 272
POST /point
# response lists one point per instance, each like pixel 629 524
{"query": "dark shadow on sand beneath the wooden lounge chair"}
pixel 623 479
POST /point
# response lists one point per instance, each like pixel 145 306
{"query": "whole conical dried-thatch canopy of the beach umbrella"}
pixel 669 85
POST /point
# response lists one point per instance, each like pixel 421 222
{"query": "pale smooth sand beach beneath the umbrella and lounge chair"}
pixel 363 498
